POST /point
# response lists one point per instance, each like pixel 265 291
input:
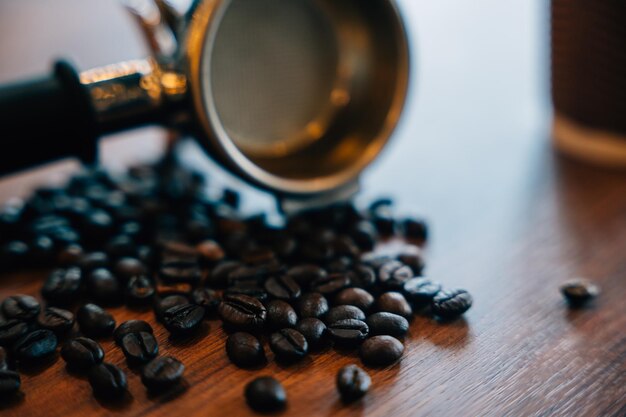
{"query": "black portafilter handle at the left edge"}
pixel 46 119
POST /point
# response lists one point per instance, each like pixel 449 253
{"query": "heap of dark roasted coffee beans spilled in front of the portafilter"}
pixel 152 238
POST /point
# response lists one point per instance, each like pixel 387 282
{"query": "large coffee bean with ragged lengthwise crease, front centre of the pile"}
pixel 242 312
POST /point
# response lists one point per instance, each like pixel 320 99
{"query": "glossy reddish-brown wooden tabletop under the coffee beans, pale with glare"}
pixel 510 221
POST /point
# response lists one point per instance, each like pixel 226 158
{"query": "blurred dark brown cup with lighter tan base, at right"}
pixel 589 79
